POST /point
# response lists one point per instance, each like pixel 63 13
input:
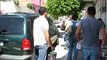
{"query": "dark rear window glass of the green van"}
pixel 11 25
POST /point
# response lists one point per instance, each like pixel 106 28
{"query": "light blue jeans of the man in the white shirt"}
pixel 42 52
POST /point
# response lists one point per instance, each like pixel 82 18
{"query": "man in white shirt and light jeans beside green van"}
pixel 41 34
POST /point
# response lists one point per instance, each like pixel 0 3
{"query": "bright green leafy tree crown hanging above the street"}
pixel 64 7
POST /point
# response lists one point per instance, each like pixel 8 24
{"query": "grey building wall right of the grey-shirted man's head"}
pixel 101 10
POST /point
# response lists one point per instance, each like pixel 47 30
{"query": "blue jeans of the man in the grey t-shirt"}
pixel 90 54
